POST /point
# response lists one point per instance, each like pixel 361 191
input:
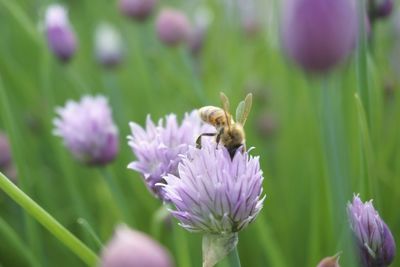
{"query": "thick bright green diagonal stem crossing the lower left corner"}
pixel 51 224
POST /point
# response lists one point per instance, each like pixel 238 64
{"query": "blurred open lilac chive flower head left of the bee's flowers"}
pixel 88 130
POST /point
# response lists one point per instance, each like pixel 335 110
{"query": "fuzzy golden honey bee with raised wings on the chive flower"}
pixel 229 133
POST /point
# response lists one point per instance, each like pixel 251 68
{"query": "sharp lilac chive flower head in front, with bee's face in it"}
pixel 214 193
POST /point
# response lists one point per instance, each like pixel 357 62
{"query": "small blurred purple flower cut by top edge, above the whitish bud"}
pixel 137 9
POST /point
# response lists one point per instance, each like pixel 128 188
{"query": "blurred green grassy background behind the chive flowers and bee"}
pixel 240 52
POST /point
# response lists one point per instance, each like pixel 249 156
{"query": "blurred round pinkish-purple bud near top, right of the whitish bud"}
pixel 173 27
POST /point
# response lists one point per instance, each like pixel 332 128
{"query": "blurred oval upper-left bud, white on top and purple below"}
pixel 60 36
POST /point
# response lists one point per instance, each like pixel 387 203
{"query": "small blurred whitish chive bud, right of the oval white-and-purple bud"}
pixel 108 45
